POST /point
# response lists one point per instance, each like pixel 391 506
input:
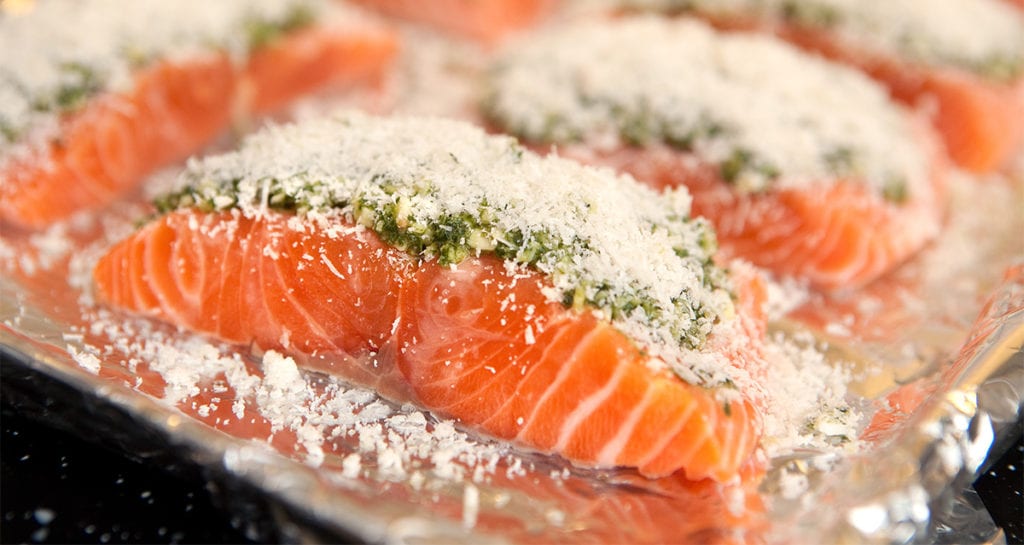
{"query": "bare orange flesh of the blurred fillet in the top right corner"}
pixel 980 118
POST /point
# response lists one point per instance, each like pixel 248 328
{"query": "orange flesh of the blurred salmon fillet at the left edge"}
pixel 106 148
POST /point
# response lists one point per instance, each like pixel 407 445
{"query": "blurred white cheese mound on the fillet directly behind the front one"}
pixel 762 112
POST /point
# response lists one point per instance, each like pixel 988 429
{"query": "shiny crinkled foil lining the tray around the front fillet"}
pixel 936 350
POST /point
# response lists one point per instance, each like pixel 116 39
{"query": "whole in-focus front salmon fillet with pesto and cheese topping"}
pixel 481 337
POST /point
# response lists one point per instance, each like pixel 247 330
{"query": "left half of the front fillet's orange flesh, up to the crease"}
pixel 211 274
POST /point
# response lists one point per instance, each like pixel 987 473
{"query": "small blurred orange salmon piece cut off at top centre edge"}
pixel 488 21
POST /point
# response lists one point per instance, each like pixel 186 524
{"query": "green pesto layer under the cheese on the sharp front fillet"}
pixel 387 208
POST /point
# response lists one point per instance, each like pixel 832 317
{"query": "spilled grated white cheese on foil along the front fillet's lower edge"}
pixel 391 443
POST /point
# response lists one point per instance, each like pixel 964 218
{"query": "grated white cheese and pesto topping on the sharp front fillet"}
pixel 601 238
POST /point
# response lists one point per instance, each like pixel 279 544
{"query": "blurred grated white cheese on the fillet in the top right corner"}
pixel 985 36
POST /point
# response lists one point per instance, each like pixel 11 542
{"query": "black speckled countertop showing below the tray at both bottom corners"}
pixel 59 488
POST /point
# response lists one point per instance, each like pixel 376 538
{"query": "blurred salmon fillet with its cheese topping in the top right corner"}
pixel 980 117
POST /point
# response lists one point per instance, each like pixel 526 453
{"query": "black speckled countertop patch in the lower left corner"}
pixel 57 488
